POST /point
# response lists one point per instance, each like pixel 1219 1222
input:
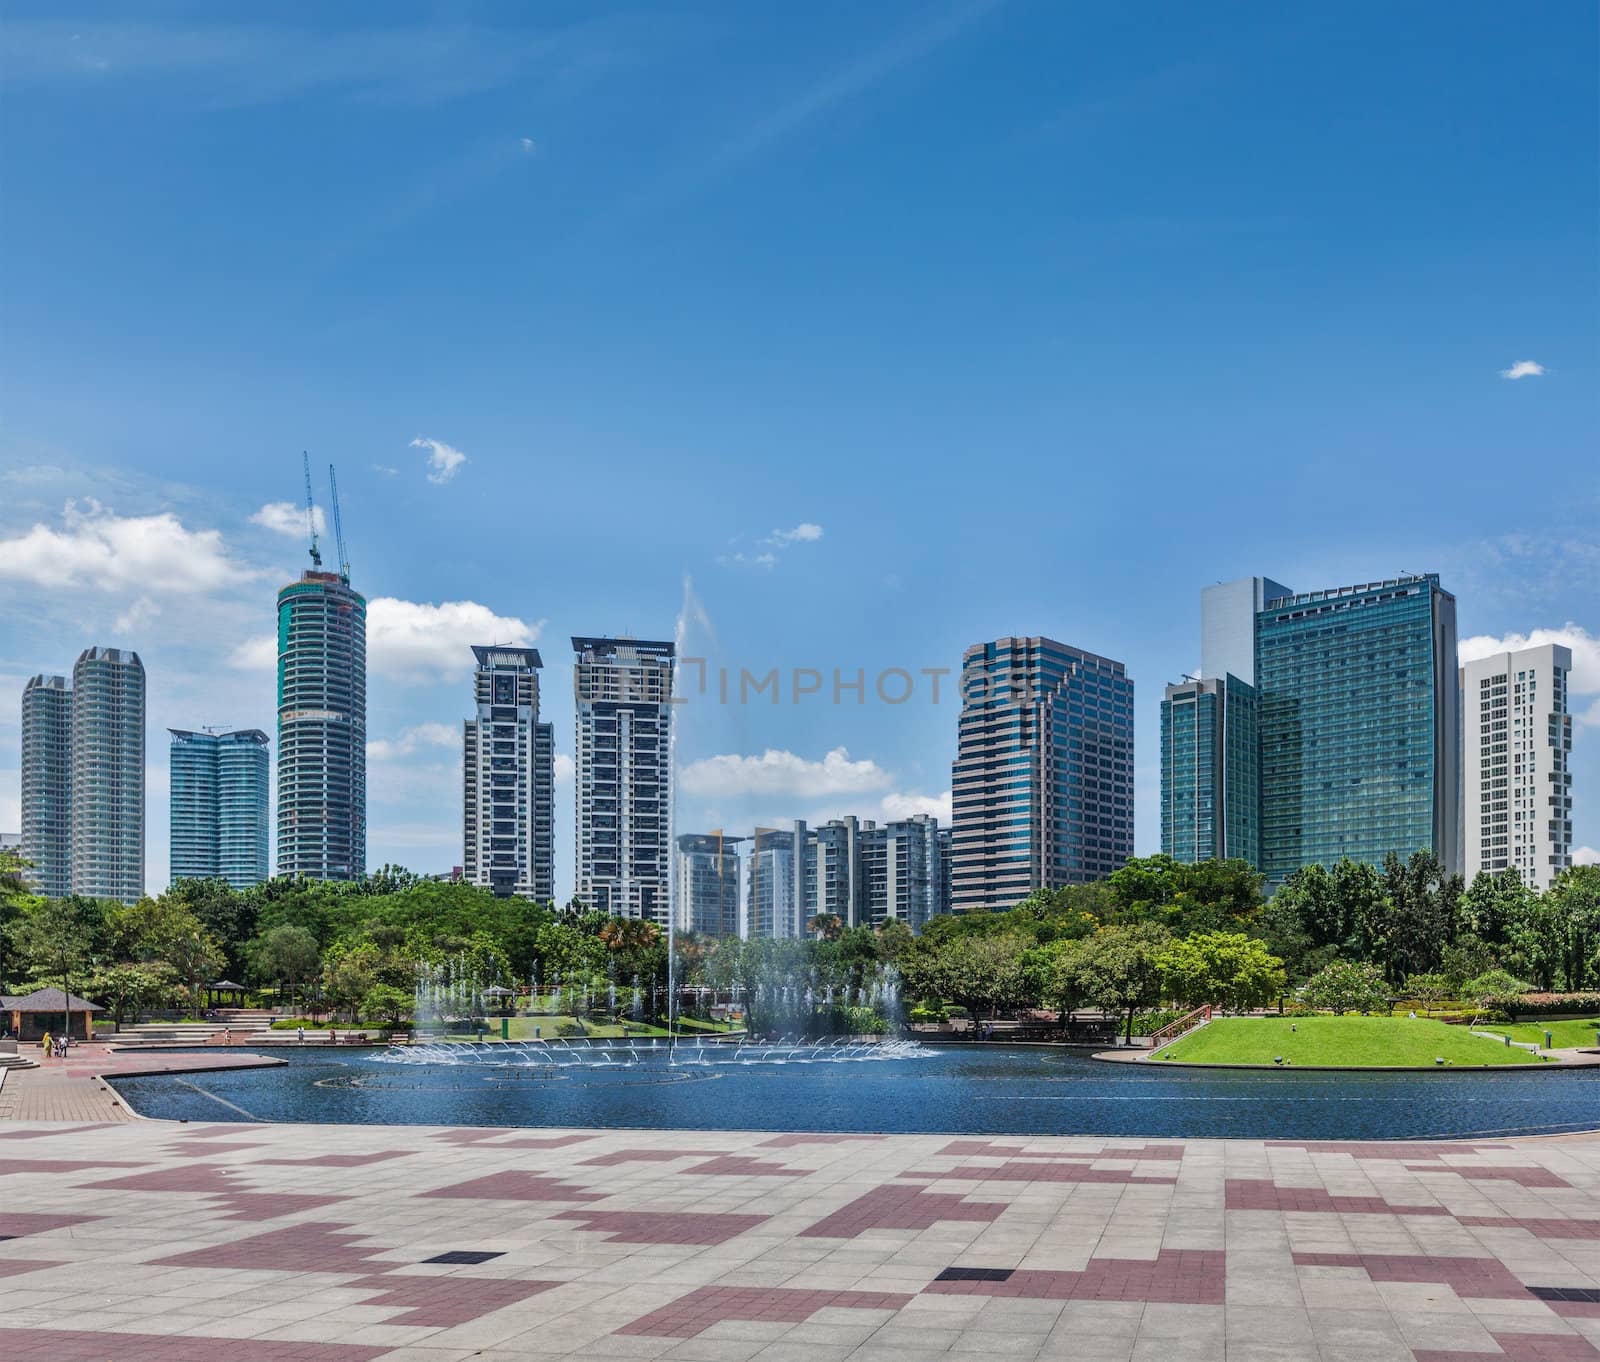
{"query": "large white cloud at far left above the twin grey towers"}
pixel 97 548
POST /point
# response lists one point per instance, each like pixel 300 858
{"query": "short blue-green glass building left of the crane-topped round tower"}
pixel 220 798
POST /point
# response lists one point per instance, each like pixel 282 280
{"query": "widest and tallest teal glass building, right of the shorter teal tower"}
pixel 1361 726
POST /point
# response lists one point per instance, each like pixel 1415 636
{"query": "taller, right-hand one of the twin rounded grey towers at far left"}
pixel 108 775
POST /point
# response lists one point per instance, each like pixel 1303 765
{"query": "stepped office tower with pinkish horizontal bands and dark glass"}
pixel 1044 772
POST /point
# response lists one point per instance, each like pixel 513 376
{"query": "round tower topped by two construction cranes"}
pixel 322 729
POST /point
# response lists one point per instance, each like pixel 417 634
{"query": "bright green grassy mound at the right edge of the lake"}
pixel 1354 1041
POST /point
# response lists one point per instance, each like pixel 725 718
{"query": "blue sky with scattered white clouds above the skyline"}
pixel 1039 318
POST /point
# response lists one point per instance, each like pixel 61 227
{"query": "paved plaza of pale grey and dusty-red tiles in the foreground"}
pixel 159 1243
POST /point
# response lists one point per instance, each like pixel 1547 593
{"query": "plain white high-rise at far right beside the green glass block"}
pixel 1518 790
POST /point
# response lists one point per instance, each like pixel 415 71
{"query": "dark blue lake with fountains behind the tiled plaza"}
pixel 982 1091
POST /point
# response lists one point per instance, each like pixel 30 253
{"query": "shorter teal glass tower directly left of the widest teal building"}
pixel 1210 771
